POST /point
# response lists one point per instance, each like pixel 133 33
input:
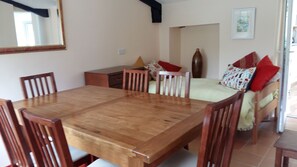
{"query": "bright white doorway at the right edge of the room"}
pixel 288 95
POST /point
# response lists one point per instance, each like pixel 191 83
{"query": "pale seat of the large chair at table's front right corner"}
pixel 182 158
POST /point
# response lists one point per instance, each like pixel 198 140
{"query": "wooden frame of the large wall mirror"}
pixel 9 50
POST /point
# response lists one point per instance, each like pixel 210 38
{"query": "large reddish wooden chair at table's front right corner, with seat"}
pixel 218 132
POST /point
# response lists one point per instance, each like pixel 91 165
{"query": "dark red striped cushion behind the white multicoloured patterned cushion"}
pixel 247 61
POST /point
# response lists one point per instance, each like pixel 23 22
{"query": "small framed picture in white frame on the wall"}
pixel 243 23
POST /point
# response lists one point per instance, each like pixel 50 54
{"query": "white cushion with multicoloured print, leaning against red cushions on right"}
pixel 238 78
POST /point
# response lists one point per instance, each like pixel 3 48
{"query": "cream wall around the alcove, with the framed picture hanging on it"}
pixel 200 12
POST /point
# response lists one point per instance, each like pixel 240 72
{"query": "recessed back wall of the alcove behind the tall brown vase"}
pixel 206 38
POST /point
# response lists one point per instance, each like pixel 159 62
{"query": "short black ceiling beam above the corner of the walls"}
pixel 156 9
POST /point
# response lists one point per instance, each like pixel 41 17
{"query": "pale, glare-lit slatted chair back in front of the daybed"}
pixel 171 83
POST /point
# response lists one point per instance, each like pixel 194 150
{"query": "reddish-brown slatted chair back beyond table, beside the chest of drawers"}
pixel 135 80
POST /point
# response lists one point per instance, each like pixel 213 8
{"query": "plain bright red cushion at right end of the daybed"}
pixel 265 71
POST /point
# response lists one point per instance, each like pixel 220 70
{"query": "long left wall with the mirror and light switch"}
pixel 95 30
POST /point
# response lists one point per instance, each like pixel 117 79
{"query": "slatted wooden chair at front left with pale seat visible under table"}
pixel 48 143
